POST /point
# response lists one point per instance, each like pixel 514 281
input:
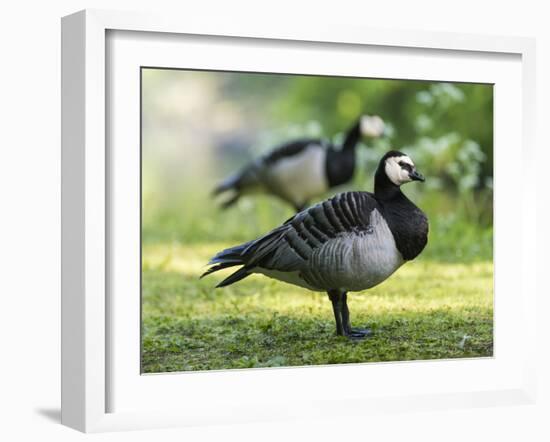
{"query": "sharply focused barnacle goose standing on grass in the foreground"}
pixel 350 242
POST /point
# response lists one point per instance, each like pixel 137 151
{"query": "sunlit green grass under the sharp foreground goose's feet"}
pixel 428 310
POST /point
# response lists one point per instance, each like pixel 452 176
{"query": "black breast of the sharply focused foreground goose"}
pixel 408 224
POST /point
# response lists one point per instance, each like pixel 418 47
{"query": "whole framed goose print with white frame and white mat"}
pixel 262 223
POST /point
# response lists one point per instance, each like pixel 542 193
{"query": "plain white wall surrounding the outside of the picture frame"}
pixel 30 220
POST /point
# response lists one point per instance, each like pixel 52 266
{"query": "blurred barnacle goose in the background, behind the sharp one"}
pixel 303 169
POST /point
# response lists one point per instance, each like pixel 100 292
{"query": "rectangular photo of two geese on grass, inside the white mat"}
pixel 293 220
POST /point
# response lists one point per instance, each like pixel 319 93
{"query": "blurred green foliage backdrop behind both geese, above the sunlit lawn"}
pixel 446 128
